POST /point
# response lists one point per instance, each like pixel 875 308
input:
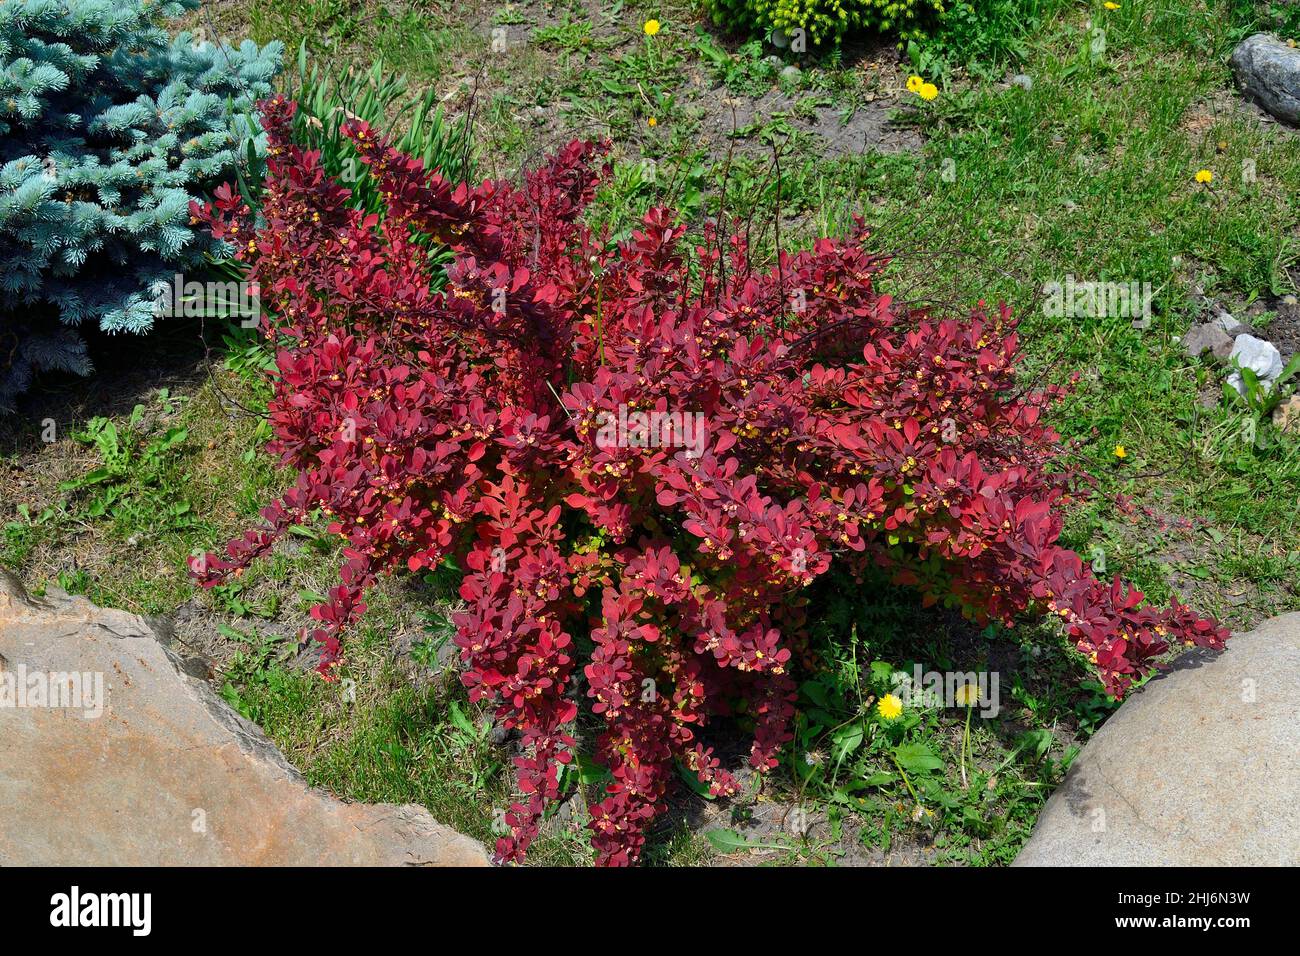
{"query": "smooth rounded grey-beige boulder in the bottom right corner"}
pixel 1201 768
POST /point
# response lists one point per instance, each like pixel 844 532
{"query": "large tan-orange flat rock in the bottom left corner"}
pixel 157 769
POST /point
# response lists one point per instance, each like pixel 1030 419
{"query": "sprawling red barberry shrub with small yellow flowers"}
pixel 647 448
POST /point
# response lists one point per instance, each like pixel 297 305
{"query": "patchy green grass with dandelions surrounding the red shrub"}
pixel 1090 174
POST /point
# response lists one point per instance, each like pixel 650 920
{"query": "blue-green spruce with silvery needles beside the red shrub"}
pixel 109 128
